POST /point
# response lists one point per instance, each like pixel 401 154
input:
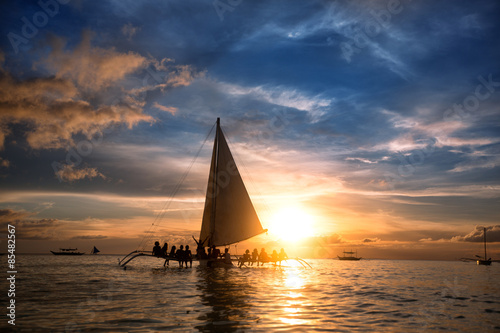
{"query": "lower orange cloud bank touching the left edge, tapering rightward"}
pixel 54 113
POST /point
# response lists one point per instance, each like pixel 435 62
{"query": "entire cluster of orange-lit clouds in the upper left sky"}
pixel 86 93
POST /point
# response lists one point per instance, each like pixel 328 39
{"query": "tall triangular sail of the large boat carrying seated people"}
pixel 229 216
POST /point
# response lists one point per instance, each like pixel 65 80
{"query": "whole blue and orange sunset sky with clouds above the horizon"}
pixel 367 125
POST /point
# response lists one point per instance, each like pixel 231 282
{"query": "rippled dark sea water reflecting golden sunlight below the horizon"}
pixel 92 293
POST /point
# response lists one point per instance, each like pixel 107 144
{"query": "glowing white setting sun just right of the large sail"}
pixel 291 224
